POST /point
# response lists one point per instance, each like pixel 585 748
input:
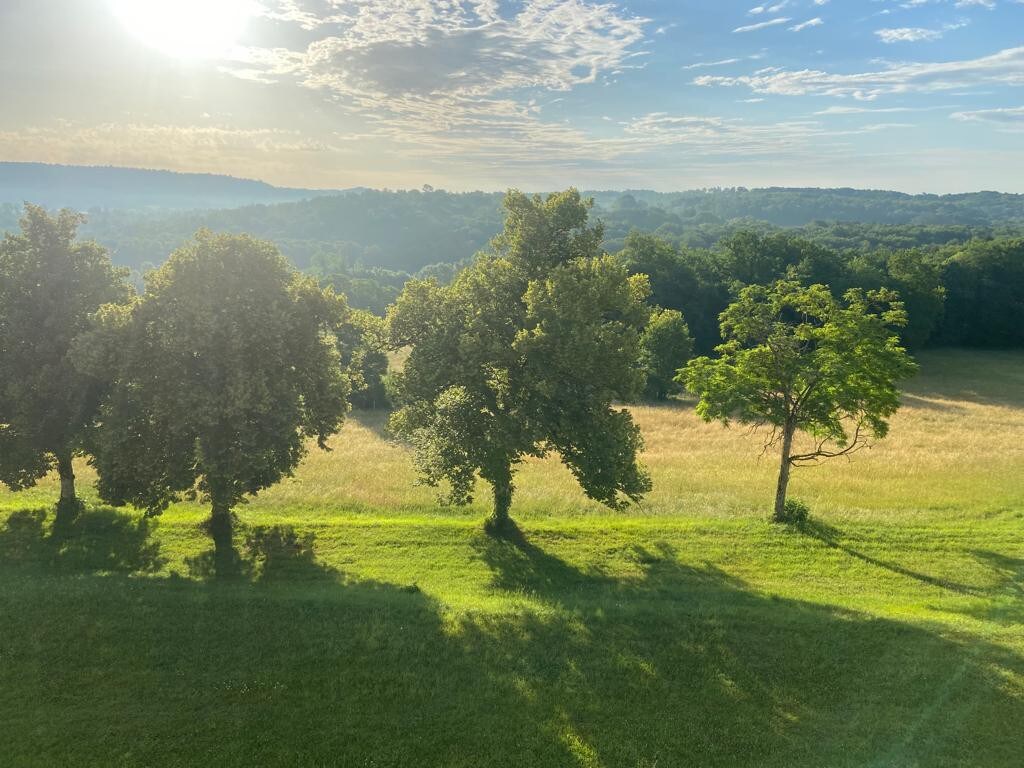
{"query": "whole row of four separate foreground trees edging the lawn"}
pixel 214 382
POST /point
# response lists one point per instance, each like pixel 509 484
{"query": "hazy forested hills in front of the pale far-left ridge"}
pixel 405 232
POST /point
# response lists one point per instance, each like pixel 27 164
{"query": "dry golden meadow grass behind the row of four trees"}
pixel 956 450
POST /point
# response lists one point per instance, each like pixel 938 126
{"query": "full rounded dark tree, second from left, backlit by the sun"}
pixel 220 374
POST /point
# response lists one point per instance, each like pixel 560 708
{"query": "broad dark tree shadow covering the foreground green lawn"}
pixel 302 664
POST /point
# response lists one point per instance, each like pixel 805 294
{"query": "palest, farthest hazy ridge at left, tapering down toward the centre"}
pixel 89 188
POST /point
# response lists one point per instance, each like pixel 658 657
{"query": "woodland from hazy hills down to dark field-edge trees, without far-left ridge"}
pixel 958 262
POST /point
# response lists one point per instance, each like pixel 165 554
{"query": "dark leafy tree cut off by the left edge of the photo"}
pixel 51 284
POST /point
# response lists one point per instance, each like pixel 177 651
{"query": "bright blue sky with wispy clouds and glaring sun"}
pixel 916 96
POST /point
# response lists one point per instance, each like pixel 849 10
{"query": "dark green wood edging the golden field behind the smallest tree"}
pixel 963 295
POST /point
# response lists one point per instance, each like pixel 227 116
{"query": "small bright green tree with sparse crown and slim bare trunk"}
pixel 798 360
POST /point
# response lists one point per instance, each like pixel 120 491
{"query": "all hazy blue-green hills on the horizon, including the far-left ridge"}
pixel 142 217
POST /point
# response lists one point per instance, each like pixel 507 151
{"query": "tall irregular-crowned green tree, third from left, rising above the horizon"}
pixel 526 354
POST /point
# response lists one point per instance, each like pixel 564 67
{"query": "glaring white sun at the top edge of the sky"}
pixel 186 29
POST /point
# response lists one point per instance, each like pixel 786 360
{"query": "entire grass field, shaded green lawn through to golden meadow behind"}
pixel 375 628
